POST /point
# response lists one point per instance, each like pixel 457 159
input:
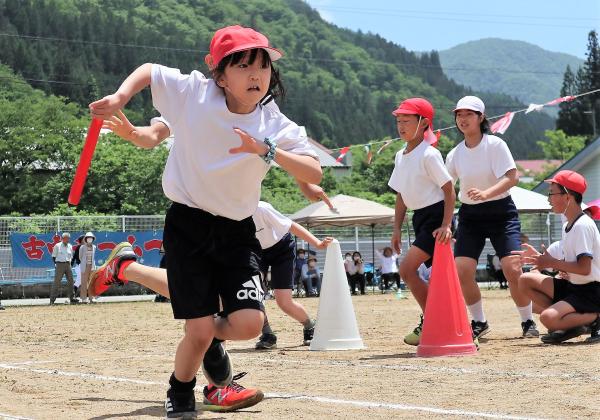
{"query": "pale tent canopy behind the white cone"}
pixel 349 211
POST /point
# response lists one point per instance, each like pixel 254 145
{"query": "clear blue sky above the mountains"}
pixel 555 25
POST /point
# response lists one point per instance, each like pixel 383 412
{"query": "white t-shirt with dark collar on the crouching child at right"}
pixel 583 239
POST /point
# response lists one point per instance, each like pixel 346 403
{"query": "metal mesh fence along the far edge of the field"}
pixel 539 227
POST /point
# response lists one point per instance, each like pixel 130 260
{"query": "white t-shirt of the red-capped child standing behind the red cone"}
pixel 419 175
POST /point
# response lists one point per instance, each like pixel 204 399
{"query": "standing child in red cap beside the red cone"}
pixel 423 185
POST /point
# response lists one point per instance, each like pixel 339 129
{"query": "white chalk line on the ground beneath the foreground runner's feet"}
pixel 326 400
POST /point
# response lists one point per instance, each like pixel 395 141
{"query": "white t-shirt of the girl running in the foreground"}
pixel 200 172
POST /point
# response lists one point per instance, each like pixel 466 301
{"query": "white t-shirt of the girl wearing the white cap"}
pixel 480 167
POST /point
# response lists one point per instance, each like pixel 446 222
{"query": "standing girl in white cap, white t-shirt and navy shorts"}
pixel 486 172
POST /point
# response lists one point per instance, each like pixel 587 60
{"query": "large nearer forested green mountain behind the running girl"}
pixel 341 84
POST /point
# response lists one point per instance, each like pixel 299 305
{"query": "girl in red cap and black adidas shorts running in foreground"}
pixel 214 183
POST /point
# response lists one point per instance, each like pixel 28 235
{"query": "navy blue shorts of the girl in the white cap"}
pixel 497 220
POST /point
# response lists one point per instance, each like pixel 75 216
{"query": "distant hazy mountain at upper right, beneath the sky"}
pixel 517 68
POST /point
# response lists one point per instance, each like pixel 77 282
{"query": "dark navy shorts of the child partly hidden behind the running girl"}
pixel 280 257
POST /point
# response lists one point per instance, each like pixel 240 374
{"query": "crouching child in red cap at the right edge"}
pixel 567 305
